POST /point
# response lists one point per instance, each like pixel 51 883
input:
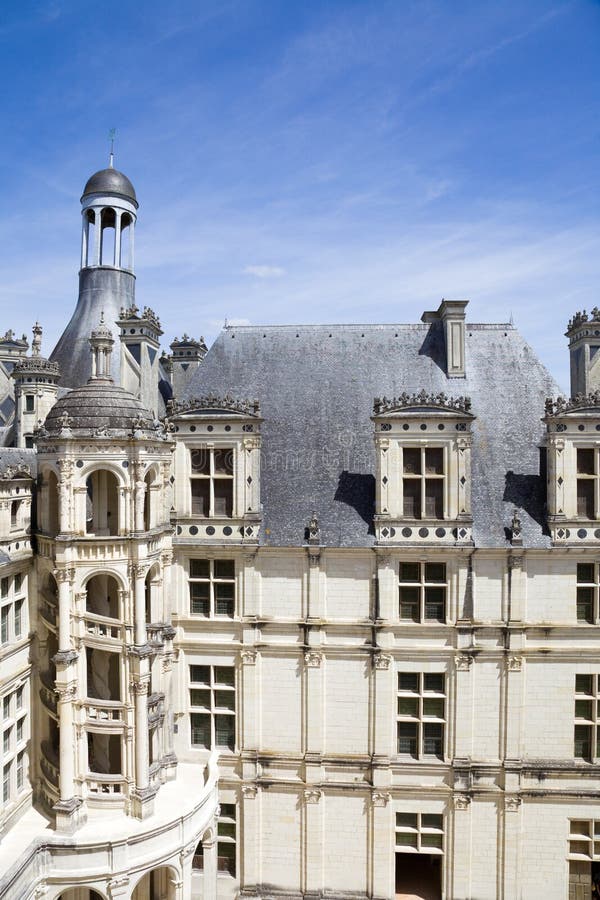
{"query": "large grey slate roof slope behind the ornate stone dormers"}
pixel 316 386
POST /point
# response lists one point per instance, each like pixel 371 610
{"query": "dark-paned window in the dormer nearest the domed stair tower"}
pixel 212 482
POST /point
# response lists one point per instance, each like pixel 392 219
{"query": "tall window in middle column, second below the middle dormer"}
pixel 421 714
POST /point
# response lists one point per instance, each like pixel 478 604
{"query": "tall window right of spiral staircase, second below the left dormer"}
pixel 212 706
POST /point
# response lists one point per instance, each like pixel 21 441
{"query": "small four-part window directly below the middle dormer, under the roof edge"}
pixel 423 589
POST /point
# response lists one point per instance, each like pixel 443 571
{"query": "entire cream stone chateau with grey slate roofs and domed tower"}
pixel 313 613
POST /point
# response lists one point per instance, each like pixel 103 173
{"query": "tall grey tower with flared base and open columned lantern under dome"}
pixel 106 277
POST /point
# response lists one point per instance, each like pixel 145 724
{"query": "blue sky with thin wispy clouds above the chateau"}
pixel 309 161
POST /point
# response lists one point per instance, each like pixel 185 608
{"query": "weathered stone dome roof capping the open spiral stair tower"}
pixel 99 406
